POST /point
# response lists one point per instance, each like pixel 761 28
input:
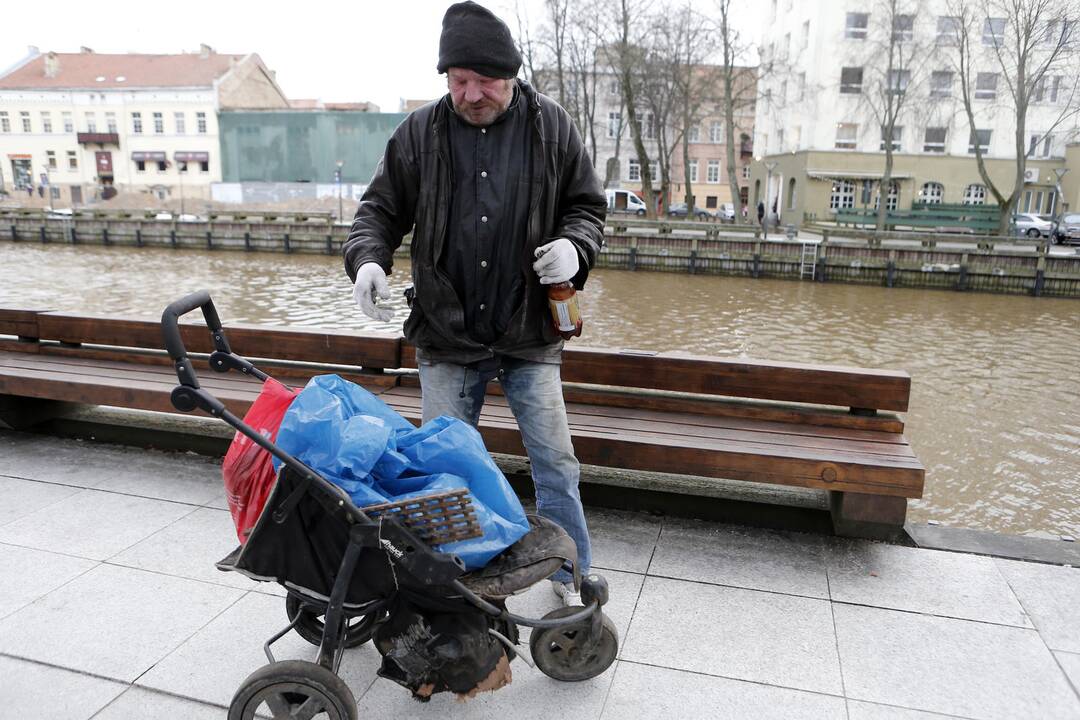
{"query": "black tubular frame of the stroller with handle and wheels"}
pixel 568 644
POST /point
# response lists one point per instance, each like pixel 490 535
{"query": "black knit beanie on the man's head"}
pixel 474 38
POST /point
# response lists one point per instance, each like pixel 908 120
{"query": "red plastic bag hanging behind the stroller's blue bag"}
pixel 248 469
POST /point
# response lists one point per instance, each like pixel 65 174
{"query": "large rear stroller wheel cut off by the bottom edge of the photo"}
pixel 293 689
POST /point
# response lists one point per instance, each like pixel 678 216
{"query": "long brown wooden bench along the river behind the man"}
pixel 823 428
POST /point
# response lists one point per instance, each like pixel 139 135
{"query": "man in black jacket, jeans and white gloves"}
pixel 505 202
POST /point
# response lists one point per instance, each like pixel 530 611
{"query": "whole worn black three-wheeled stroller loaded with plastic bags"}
pixel 356 575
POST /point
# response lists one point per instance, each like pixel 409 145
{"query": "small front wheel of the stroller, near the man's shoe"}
pixel 561 653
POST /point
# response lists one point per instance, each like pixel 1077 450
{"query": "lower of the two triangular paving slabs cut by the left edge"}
pixel 30 574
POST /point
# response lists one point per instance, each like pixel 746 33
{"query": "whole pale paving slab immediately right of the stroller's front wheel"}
pixel 746 635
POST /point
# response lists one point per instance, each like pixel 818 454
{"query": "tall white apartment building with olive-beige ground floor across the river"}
pixel 820 126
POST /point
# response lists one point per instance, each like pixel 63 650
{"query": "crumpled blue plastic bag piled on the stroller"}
pixel 359 443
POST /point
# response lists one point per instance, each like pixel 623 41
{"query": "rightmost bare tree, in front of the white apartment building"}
pixel 1033 46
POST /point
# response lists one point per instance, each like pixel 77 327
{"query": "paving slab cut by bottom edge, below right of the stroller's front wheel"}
pixel 644 691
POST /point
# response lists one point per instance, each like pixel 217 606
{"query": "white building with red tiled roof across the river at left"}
pixel 90 125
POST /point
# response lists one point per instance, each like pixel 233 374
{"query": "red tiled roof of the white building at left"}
pixel 83 71
